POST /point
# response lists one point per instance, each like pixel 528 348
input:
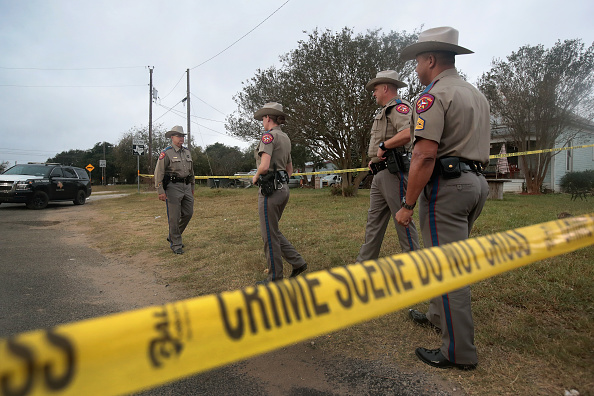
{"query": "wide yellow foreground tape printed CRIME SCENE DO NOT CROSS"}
pixel 144 348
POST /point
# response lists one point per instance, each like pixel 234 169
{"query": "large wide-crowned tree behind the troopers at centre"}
pixel 321 85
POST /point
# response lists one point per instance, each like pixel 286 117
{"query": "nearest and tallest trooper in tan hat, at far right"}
pixel 451 147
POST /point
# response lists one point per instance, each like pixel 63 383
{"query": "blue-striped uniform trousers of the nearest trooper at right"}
pixel 447 210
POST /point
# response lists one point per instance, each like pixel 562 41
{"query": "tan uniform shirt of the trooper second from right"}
pixel 391 119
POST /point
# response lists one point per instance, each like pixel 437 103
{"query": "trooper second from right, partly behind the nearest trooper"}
pixel 390 137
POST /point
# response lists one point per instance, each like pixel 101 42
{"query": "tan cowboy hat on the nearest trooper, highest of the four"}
pixel 443 38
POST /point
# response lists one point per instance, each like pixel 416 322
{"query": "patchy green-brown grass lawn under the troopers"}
pixel 534 325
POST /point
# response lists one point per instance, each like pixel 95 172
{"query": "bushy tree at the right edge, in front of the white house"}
pixel 543 96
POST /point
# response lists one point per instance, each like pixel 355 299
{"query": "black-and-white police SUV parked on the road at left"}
pixel 36 184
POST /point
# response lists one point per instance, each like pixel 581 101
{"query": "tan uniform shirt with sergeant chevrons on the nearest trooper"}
pixel 453 113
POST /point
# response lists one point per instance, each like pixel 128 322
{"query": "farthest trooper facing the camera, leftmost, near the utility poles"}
pixel 174 181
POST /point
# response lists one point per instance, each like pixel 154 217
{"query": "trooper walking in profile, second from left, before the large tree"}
pixel 274 154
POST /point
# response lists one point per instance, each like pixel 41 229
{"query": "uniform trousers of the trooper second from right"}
pixel 385 197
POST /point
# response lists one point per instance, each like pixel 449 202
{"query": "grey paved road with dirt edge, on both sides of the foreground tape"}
pixel 43 262
